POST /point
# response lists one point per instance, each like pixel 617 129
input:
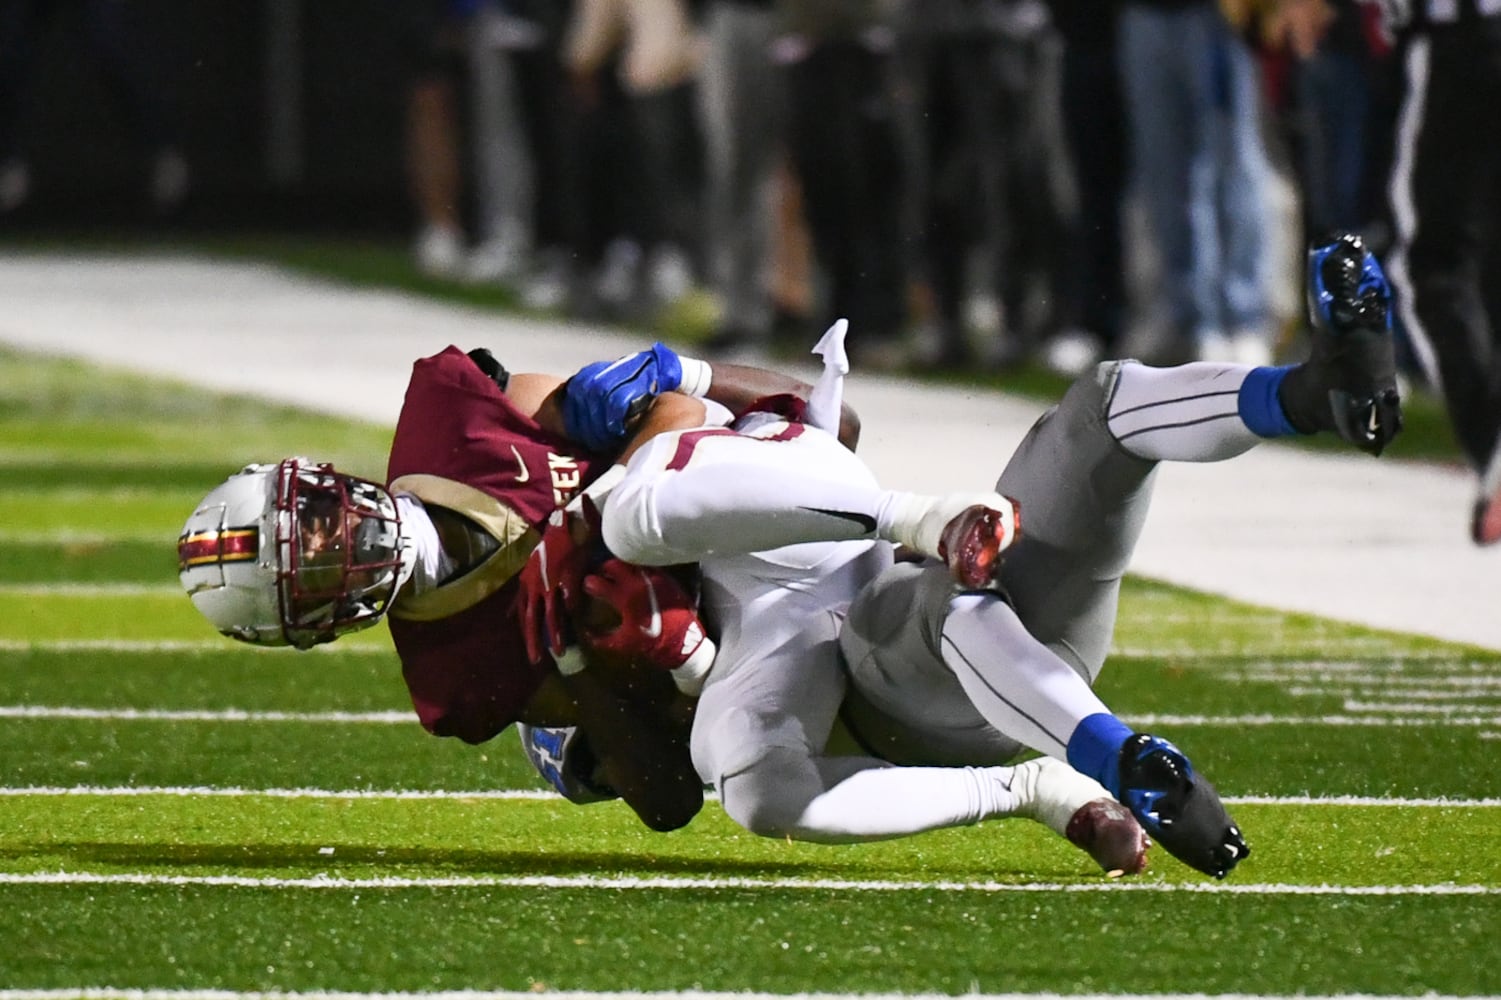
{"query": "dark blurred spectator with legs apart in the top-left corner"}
pixel 128 64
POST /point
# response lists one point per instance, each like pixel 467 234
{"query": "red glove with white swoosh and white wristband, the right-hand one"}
pixel 658 619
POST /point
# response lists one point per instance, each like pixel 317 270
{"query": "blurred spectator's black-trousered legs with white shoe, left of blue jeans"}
pixel 1095 127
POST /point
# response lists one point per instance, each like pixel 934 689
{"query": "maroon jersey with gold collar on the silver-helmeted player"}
pixel 463 445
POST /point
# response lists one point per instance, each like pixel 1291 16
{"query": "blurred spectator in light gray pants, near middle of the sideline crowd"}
pixel 742 107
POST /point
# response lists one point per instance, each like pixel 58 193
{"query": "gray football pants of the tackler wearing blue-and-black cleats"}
pixel 1083 505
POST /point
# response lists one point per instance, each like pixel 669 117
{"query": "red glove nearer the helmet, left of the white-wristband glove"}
pixel 553 577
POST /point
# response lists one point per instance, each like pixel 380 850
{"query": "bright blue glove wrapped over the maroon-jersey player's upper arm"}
pixel 604 402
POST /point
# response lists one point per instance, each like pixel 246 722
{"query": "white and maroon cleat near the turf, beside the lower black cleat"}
pixel 1081 812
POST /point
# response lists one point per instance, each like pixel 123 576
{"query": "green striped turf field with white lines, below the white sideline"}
pixel 184 815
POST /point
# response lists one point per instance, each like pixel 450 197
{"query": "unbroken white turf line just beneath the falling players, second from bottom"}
pixel 673 882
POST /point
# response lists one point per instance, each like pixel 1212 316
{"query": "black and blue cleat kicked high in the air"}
pixel 1350 307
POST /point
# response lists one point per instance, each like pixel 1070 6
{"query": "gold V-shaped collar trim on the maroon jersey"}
pixel 516 537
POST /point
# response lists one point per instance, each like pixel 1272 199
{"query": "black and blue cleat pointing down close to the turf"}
pixel 1179 809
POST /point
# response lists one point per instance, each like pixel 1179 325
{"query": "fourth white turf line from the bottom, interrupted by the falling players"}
pixel 388 718
